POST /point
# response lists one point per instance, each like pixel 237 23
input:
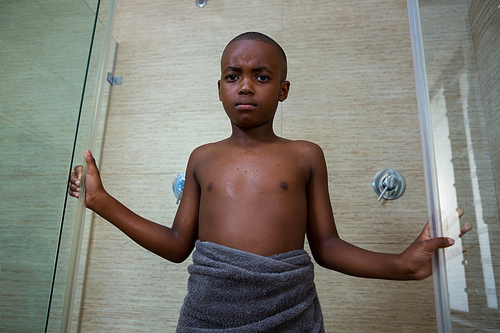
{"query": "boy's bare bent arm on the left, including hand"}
pixel 174 244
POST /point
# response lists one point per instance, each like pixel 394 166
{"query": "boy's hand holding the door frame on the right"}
pixel 417 257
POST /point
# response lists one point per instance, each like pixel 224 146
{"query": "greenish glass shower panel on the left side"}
pixel 44 55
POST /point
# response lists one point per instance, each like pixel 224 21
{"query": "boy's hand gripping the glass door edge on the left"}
pixel 93 187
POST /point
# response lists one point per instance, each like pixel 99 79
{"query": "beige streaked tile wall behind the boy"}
pixel 352 92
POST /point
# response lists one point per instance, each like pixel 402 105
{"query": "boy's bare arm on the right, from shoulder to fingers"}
pixel 330 251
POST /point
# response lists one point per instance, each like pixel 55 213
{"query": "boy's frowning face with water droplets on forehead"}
pixel 252 82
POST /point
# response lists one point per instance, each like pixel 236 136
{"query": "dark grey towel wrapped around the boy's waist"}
pixel 235 291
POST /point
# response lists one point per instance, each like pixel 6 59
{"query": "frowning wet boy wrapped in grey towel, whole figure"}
pixel 247 204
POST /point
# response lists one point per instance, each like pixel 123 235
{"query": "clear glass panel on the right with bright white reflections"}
pixel 462 54
